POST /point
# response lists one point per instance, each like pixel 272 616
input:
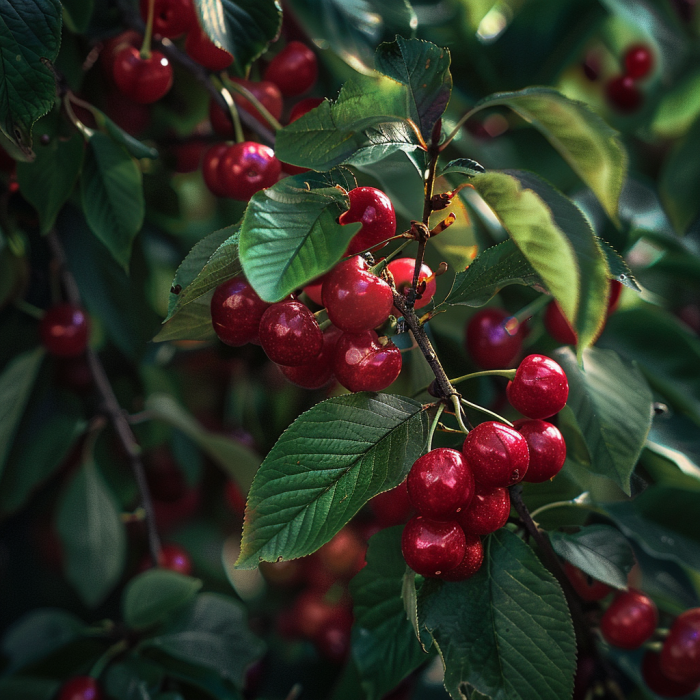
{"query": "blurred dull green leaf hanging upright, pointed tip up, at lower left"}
pixel 92 534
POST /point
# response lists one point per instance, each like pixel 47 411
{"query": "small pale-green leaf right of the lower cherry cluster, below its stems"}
pixel 599 551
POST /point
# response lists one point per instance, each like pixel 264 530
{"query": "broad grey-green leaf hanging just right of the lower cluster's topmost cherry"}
pixel 611 404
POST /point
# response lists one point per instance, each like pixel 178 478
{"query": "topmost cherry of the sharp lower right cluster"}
pixel 540 387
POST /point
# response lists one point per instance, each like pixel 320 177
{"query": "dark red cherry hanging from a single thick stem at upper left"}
pixel 143 80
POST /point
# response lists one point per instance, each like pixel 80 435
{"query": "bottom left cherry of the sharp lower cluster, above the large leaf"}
pixel 431 547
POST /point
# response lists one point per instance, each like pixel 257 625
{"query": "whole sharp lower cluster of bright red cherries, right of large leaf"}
pixel 460 496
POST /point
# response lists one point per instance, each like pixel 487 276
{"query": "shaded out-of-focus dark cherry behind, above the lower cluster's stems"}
pixel 488 342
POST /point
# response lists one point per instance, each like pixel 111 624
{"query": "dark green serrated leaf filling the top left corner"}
pixel 30 34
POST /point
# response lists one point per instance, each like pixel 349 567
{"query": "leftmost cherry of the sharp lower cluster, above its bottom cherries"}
pixel 440 484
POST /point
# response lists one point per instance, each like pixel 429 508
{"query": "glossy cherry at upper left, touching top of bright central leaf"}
pixel 247 168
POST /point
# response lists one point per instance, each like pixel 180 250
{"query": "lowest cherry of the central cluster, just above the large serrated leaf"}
pixel 364 363
